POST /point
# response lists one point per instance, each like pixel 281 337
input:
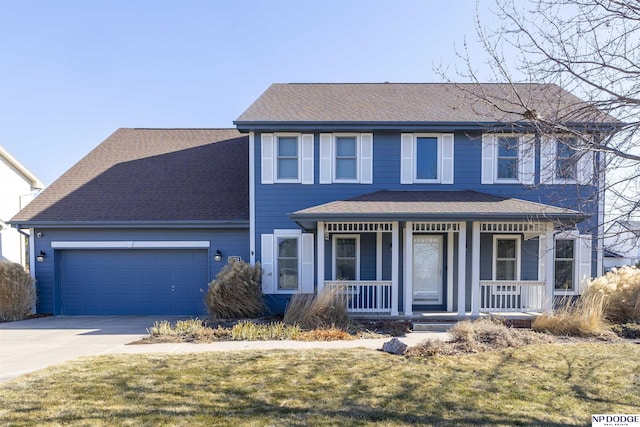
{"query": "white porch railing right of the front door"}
pixel 511 295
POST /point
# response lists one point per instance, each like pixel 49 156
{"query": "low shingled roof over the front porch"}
pixel 432 205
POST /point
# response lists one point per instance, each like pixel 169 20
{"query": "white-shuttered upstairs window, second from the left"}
pixel 346 158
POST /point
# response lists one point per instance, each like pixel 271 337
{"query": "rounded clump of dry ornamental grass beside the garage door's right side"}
pixel 236 293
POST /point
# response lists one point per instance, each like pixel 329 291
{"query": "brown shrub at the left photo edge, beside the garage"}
pixel 17 293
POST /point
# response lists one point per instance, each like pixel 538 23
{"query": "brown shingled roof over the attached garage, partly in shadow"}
pixel 151 175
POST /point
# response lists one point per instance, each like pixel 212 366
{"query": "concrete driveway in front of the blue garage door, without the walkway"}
pixel 29 345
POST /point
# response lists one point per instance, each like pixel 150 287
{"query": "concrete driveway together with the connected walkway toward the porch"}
pixel 30 345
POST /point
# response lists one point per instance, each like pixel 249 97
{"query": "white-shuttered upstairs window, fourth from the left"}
pixel 508 159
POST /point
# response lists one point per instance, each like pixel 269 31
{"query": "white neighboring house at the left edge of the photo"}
pixel 18 186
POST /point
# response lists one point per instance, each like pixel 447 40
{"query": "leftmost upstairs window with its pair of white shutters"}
pixel 286 158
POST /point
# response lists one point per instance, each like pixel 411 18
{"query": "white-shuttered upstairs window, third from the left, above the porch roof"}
pixel 426 158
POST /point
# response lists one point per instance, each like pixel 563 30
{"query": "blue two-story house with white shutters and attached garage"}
pixel 403 198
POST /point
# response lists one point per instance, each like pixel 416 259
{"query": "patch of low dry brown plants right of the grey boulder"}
pixel 478 336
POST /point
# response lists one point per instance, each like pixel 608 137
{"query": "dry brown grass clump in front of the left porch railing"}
pixel 319 311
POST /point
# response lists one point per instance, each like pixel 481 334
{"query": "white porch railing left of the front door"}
pixel 363 296
